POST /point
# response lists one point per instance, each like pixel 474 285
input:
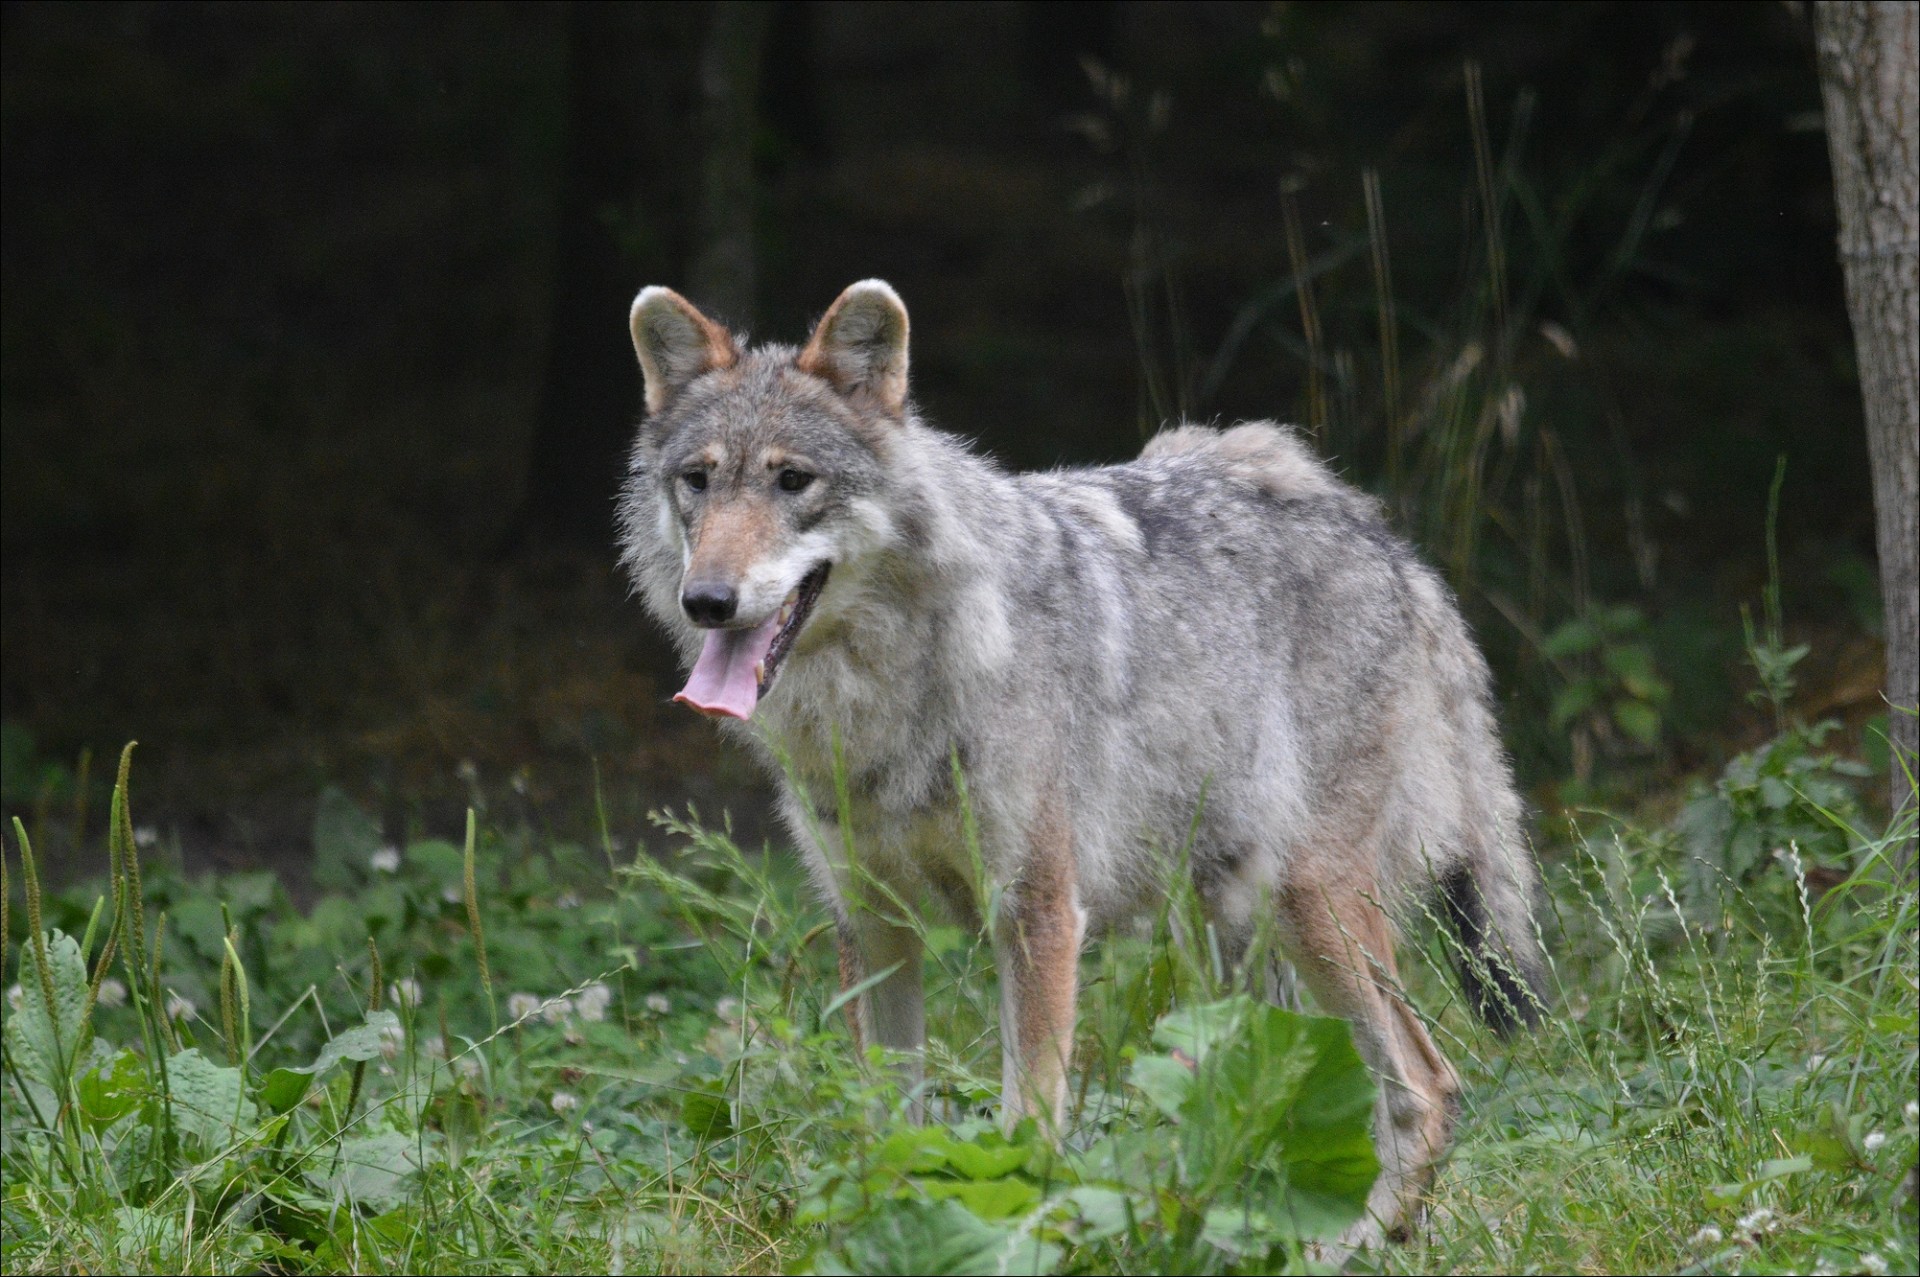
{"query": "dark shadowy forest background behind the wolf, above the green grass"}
pixel 318 377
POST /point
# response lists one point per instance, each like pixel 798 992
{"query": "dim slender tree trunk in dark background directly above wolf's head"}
pixel 723 279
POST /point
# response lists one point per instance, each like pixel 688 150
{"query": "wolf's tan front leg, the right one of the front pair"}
pixel 1038 940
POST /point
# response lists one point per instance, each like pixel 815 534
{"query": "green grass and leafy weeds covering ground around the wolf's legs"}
pixel 521 1057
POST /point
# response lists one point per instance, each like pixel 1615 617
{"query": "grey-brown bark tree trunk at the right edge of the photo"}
pixel 1873 124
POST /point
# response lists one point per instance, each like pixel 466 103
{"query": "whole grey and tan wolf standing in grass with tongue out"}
pixel 1051 681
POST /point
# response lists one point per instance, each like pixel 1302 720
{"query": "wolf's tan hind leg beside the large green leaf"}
pixel 1343 946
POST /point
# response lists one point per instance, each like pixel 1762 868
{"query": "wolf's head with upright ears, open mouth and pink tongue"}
pixel 754 475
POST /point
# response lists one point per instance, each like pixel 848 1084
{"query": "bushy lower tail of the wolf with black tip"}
pixel 1489 904
